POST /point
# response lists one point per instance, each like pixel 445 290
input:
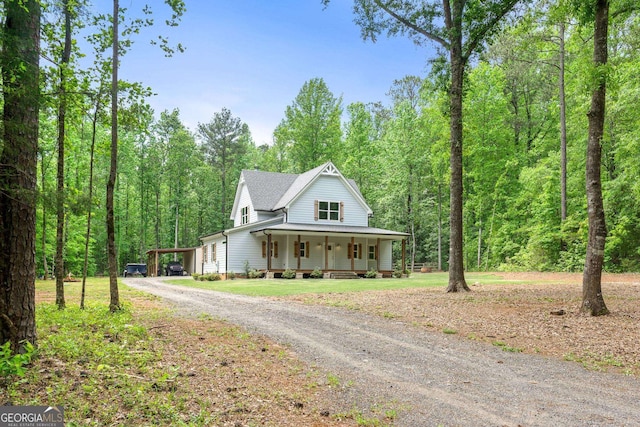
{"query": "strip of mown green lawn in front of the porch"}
pixel 284 287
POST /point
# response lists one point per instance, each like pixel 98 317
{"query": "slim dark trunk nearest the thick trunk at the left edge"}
pixel 60 193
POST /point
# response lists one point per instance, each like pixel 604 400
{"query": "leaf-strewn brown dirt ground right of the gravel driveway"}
pixel 519 317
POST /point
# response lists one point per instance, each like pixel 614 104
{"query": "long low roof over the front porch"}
pixel 330 230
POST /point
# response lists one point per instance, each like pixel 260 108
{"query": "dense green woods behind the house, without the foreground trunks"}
pixel 531 87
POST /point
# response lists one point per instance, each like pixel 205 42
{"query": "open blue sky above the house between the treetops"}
pixel 253 56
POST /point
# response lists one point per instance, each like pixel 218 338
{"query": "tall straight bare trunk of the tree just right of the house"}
pixel 456 260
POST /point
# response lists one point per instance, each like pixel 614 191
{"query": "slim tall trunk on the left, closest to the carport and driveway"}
pixel 111 183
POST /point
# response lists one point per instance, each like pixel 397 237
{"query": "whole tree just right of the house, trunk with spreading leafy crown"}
pixel 461 28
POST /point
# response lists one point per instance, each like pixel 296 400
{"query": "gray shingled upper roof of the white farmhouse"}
pixel 270 191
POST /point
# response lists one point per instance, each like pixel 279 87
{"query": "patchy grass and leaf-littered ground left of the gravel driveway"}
pixel 144 366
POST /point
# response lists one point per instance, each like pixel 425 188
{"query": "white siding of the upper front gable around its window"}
pixel 330 189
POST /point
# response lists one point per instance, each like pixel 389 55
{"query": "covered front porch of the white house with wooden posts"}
pixel 330 249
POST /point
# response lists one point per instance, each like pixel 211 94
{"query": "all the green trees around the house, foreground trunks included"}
pixel 91 177
